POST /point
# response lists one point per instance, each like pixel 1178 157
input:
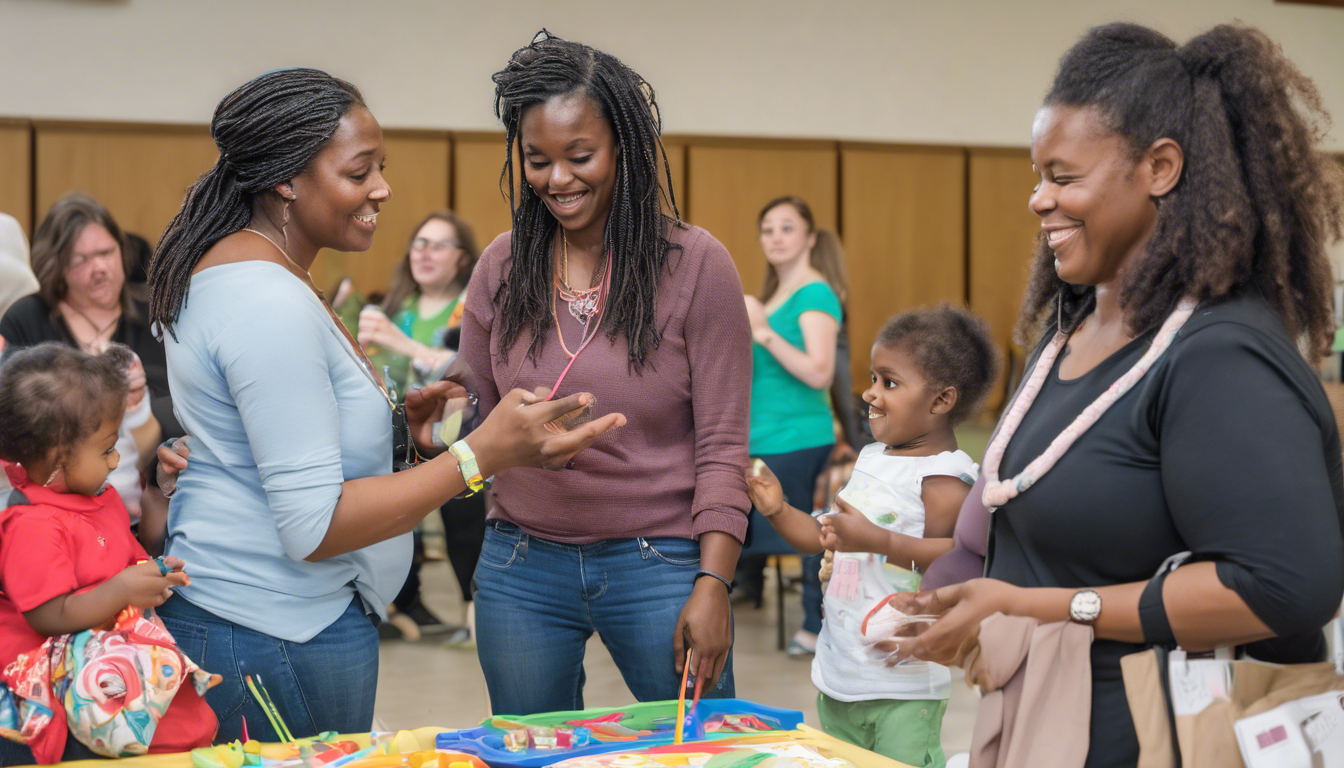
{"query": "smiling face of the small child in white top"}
pixel 902 404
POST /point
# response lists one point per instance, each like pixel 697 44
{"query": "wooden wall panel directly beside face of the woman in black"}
pixel 1002 237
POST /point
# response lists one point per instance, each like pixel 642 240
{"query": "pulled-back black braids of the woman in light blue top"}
pixel 268 132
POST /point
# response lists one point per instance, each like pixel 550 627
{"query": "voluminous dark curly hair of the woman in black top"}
pixel 1256 202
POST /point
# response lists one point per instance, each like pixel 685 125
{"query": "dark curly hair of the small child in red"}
pixel 53 396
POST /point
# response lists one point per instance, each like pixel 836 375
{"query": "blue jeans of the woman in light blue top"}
pixel 327 684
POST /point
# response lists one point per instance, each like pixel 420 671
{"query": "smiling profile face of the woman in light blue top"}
pixel 337 198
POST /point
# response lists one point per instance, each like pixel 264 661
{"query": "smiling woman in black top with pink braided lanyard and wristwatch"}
pixel 1171 173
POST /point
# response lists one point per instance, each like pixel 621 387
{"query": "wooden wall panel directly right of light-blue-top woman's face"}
pixel 419 170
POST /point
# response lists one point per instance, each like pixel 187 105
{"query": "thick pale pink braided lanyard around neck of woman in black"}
pixel 999 493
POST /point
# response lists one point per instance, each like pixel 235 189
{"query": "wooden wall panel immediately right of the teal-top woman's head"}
pixel 904 219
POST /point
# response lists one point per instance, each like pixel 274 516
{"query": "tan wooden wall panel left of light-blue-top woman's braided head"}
pixel 139 173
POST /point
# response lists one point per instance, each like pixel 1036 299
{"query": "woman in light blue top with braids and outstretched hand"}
pixel 295 531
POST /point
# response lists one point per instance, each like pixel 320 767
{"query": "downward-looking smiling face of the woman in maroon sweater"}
pixel 571 159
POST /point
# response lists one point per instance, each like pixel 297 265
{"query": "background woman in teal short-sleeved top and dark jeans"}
pixel 795 325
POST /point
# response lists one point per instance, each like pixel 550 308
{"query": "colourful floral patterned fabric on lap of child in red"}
pixel 108 688
